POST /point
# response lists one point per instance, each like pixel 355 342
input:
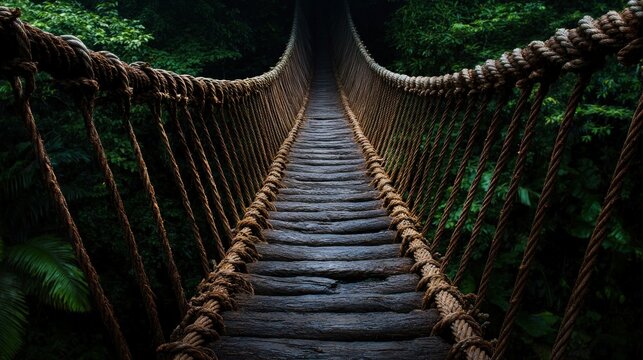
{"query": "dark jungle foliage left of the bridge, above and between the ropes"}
pixel 221 38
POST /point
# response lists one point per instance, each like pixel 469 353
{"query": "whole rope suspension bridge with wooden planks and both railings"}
pixel 329 159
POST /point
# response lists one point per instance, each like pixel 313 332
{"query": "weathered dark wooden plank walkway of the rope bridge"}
pixel 330 283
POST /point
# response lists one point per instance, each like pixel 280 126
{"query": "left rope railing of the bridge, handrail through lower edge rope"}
pixel 224 134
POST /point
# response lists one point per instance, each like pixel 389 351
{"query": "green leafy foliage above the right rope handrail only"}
pixel 466 33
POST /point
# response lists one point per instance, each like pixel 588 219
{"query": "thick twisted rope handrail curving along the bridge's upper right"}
pixel 568 50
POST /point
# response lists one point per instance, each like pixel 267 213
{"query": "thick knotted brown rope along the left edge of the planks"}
pixel 203 322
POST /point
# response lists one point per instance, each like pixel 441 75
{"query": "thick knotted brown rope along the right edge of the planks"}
pixel 447 298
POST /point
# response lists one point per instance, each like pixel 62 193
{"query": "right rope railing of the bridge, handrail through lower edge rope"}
pixel 426 146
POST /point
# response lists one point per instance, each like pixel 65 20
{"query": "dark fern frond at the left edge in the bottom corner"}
pixel 13 314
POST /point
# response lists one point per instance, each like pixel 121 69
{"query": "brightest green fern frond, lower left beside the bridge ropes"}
pixel 49 266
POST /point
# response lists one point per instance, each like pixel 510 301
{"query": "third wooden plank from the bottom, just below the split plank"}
pixel 337 303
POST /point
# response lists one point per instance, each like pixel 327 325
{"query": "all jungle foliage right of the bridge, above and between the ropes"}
pixel 435 37
